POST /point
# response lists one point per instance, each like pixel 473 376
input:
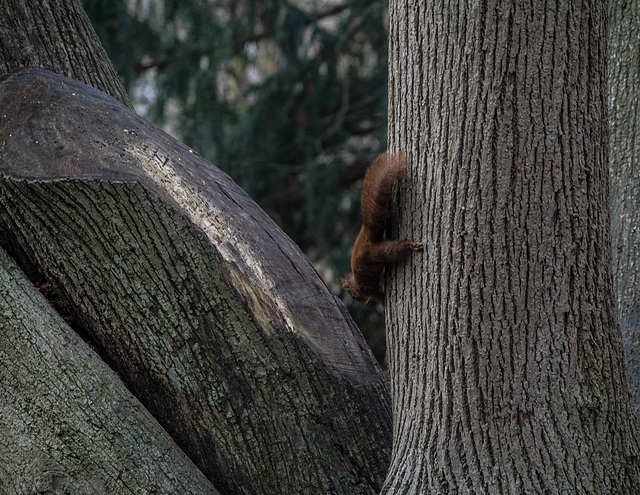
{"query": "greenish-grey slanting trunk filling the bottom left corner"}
pixel 68 424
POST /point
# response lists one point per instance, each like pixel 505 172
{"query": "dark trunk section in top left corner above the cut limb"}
pixel 56 35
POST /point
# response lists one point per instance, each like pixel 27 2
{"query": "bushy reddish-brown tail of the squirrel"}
pixel 377 191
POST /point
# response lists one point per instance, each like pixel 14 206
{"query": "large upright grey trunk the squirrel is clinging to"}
pixel 507 366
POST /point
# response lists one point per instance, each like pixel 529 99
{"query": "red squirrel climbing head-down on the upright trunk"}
pixel 371 253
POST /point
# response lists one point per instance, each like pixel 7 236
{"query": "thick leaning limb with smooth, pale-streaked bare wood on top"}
pixel 211 315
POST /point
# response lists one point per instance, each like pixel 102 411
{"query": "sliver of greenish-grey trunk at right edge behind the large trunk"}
pixel 624 87
